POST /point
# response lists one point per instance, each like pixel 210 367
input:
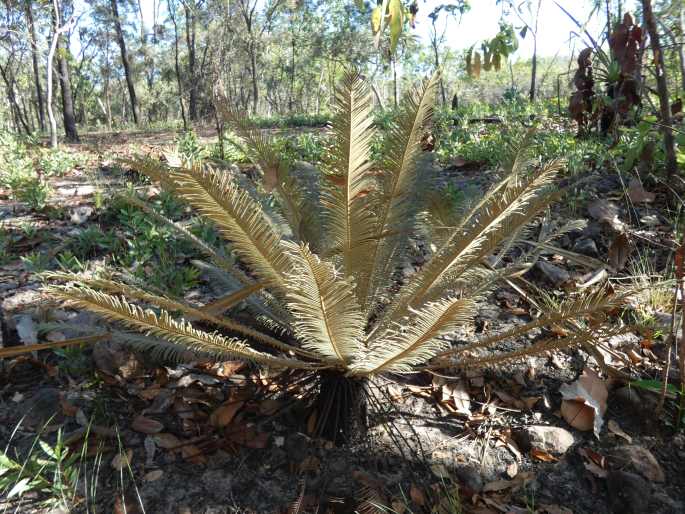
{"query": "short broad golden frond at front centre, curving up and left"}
pixel 327 317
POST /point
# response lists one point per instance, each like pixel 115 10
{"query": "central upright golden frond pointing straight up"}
pixel 350 221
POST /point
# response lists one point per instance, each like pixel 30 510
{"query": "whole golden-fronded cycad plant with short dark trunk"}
pixel 318 267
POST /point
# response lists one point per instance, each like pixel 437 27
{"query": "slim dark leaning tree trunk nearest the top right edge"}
pixel 662 88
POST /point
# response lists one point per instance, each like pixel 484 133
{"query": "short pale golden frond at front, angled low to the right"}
pixel 399 351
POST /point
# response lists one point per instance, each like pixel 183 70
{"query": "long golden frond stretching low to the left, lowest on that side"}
pixel 162 325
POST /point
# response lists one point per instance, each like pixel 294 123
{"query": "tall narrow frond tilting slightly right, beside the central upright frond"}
pixel 397 180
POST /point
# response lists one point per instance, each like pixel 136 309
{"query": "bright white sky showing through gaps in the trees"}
pixel 482 22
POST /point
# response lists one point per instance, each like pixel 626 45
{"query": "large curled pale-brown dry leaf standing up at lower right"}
pixel 585 402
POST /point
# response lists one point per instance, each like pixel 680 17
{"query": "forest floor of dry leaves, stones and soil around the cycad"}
pixel 198 438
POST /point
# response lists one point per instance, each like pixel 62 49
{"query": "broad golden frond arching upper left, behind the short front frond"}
pixel 239 218
